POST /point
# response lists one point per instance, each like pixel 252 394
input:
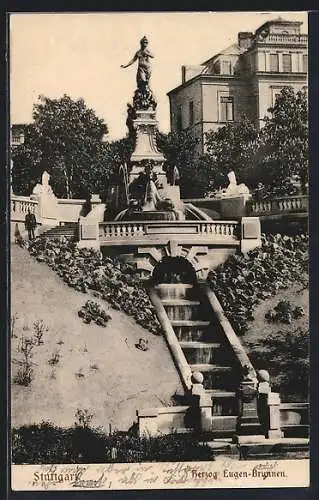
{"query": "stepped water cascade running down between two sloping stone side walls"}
pixel 205 349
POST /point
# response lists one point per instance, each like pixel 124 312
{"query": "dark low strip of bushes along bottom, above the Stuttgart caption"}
pixel 45 443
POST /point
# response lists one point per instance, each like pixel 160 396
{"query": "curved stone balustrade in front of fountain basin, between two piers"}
pixel 109 231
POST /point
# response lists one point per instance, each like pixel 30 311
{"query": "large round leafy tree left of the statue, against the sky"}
pixel 65 139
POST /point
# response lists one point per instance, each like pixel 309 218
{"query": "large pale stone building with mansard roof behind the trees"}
pixel 242 80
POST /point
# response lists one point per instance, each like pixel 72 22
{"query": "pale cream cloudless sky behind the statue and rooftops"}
pixel 80 54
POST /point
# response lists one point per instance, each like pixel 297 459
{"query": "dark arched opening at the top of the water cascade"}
pixel 174 270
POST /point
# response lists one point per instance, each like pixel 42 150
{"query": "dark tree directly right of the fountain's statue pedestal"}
pixel 180 150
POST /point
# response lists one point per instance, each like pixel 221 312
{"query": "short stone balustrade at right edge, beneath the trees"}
pixel 288 204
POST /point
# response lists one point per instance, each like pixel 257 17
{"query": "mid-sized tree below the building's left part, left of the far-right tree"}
pixel 232 147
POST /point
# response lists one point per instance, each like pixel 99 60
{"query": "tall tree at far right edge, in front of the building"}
pixel 285 142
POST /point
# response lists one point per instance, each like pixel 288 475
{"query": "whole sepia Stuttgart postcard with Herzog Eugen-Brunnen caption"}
pixel 159 333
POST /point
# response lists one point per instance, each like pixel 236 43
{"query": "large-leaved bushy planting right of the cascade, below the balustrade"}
pixel 243 281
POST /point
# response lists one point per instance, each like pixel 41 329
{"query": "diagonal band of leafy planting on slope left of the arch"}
pixel 87 270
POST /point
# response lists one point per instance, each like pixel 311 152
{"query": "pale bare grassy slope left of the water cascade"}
pixel 126 379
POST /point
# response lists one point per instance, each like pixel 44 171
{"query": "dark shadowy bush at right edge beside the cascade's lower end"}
pixel 286 356
